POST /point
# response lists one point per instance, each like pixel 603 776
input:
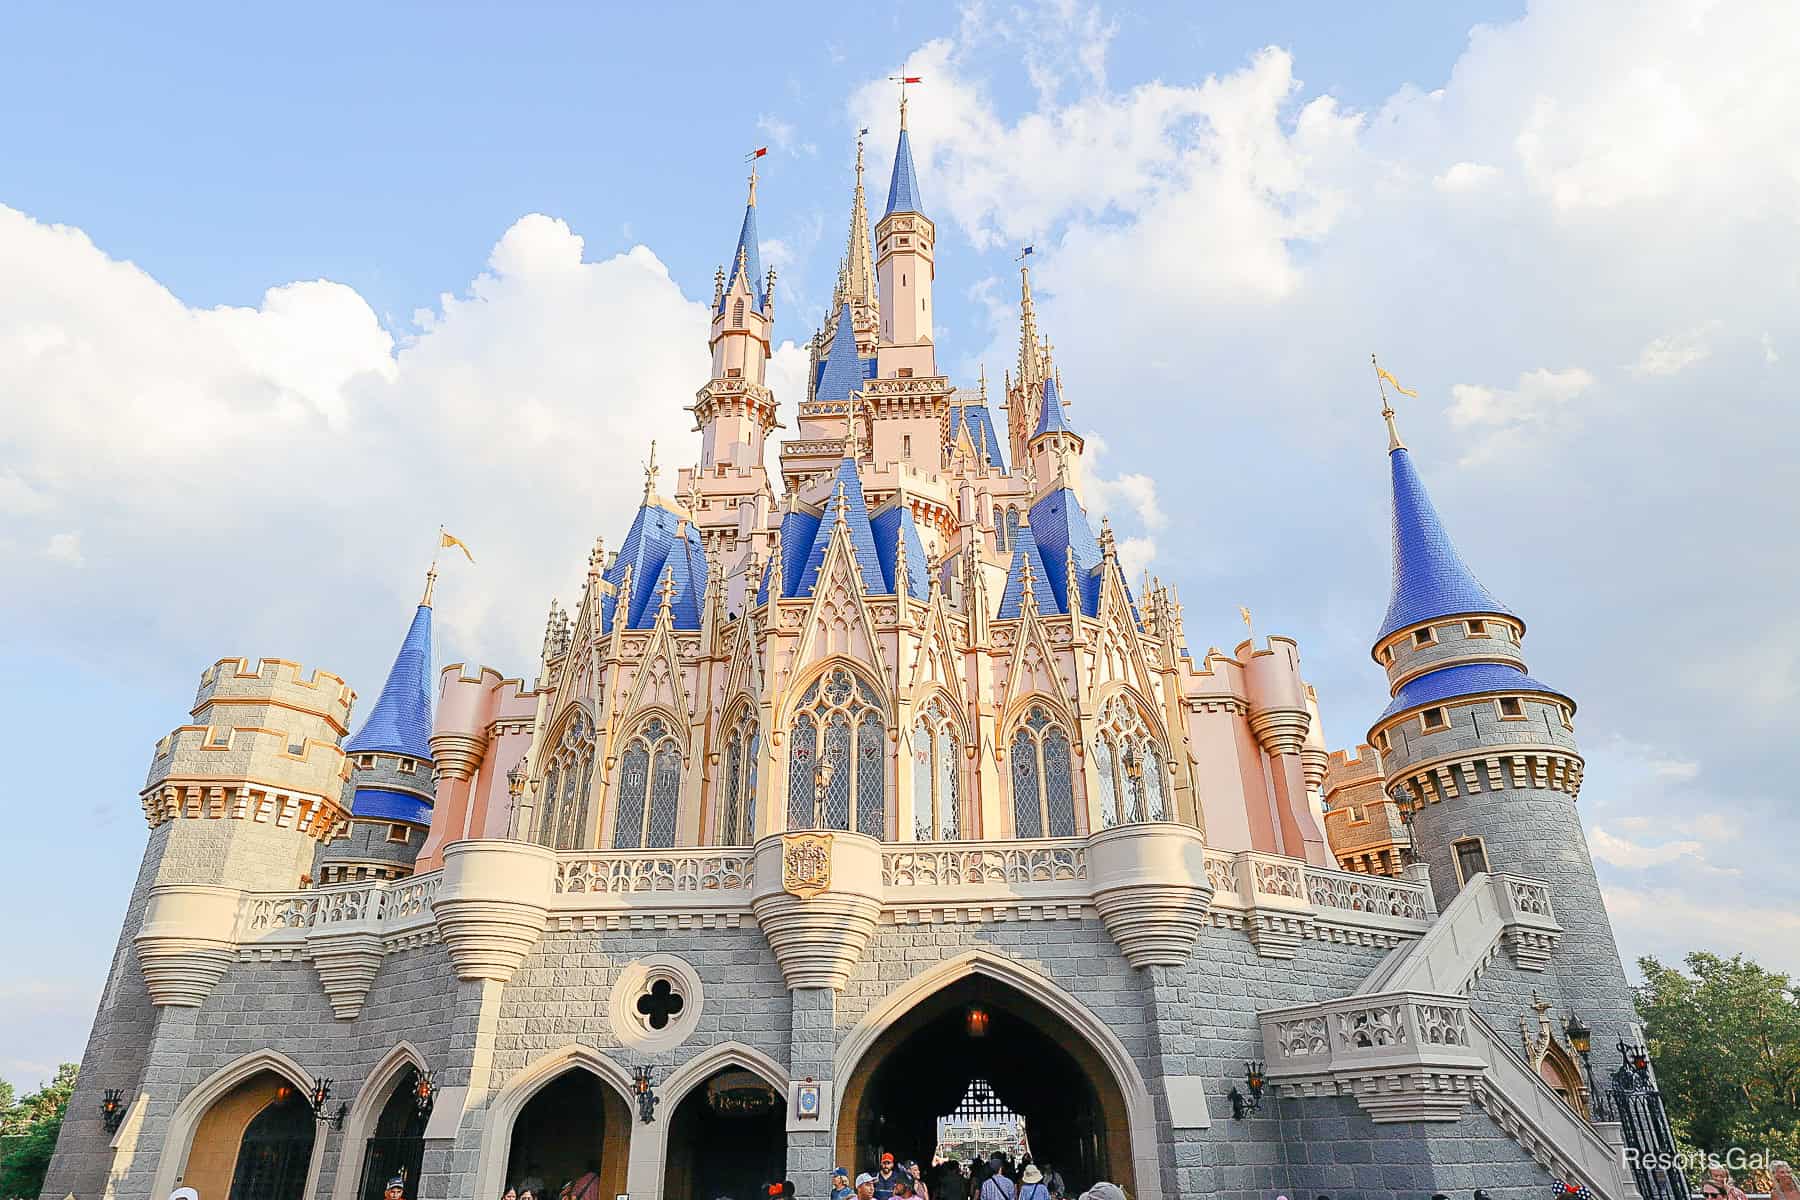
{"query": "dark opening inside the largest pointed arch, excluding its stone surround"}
pixel 922 1064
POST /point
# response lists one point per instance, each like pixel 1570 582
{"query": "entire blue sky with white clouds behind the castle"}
pixel 274 303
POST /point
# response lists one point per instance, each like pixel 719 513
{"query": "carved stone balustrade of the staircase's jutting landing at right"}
pixel 1403 1055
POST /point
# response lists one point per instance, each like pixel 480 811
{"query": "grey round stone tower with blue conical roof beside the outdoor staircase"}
pixel 1479 755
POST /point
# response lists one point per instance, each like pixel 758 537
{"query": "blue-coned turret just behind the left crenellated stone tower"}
pixel 391 787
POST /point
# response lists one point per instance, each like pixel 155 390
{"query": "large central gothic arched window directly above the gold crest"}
pixel 838 775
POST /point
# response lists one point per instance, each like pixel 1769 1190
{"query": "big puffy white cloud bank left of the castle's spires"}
pixel 298 442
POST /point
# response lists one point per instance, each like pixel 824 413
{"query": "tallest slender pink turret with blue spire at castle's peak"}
pixel 904 265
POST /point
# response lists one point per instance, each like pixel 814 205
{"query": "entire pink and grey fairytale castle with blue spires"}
pixel 850 801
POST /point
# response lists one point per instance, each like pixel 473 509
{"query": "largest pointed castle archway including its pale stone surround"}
pixel 994 1032
